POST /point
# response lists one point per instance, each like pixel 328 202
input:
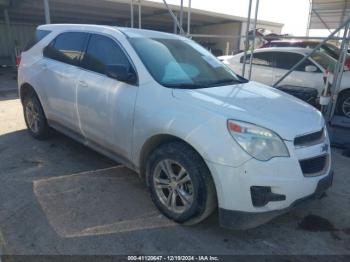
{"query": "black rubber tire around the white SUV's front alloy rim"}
pixel 202 186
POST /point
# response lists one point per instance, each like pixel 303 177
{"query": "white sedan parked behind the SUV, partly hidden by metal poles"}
pixel 270 64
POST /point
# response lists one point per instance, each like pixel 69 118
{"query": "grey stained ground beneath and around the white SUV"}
pixel 59 197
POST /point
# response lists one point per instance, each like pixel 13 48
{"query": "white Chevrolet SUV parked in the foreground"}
pixel 159 103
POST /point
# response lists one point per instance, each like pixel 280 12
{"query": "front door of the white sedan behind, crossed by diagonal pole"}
pixel 284 61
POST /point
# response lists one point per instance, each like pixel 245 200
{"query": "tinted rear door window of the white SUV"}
pixel 67 47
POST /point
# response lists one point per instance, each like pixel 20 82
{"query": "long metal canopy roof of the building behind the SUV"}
pixel 112 12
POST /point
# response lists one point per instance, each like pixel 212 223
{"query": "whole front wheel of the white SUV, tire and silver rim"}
pixel 190 197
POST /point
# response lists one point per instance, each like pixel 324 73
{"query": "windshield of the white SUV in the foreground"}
pixel 182 63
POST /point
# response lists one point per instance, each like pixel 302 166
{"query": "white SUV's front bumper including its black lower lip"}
pixel 282 180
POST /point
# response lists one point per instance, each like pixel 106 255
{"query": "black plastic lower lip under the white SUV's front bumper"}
pixel 245 220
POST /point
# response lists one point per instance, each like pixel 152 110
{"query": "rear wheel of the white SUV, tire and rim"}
pixel 34 117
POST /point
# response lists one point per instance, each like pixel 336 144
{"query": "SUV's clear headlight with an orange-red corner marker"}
pixel 259 142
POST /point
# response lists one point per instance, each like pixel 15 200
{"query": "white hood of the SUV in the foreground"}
pixel 258 104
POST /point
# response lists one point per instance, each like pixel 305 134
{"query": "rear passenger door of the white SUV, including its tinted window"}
pixel 60 71
